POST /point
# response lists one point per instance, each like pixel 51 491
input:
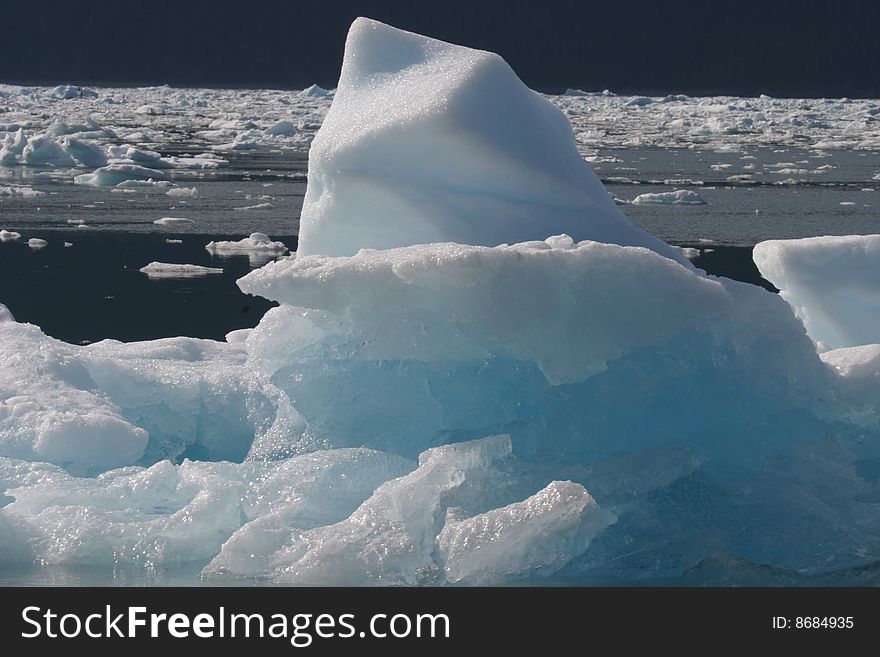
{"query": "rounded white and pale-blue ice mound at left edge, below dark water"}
pixel 112 404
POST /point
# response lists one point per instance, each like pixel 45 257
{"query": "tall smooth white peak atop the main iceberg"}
pixel 474 155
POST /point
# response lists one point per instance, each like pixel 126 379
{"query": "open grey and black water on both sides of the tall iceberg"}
pixel 93 289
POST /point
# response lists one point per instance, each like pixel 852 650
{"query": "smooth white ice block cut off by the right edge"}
pixel 831 283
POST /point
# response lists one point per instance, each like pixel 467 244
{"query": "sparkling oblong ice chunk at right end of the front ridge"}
pixel 538 535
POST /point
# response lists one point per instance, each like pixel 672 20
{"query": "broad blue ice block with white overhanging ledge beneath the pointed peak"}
pixel 447 341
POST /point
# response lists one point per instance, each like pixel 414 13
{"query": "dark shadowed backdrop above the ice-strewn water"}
pixel 783 48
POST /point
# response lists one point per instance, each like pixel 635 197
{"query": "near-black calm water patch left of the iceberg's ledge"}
pixel 93 289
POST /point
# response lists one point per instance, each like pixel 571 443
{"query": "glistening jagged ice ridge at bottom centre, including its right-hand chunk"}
pixel 411 531
